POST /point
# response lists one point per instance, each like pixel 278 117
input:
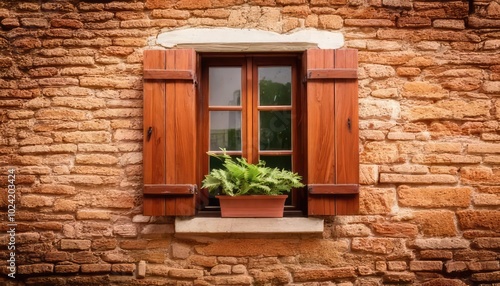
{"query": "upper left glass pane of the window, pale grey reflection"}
pixel 225 86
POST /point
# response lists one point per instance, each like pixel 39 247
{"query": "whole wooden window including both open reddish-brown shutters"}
pixel 294 111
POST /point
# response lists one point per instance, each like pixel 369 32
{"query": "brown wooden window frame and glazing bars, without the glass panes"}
pixel 250 62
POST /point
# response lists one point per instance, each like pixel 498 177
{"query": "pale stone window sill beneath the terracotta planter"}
pixel 249 225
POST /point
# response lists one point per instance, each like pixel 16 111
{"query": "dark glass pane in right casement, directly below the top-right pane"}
pixel 275 130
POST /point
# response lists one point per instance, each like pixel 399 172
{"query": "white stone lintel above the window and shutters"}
pixel 249 40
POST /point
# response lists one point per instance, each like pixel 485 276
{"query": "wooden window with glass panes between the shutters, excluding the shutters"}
pixel 250 108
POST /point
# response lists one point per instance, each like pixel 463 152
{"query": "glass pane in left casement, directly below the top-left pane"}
pixel 225 130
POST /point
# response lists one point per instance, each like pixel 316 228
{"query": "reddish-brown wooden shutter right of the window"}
pixel 332 174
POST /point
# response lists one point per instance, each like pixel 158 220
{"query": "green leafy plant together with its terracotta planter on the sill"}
pixel 250 190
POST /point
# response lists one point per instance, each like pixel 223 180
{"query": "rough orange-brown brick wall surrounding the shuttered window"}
pixel 71 112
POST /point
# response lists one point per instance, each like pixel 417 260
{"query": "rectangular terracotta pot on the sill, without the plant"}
pixel 252 206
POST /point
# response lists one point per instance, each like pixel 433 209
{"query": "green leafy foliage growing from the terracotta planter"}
pixel 238 177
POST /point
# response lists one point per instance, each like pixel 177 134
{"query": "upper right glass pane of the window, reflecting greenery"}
pixel 275 86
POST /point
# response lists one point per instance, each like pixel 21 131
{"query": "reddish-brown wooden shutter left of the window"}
pixel 170 147
